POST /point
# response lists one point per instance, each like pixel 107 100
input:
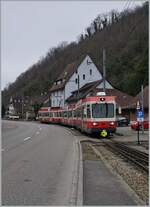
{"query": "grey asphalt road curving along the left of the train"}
pixel 37 164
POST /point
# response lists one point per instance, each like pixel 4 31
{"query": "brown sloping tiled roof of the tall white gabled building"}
pixel 67 73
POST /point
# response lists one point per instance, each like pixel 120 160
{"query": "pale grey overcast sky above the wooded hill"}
pixel 30 28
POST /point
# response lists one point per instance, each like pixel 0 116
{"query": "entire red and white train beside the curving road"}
pixel 93 114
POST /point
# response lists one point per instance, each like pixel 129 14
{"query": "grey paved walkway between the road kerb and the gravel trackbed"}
pixel 102 187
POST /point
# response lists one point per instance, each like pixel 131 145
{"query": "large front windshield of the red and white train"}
pixel 103 110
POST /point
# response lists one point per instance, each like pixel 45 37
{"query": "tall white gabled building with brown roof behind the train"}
pixel 83 70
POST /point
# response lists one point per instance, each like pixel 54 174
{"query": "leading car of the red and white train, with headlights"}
pixel 98 115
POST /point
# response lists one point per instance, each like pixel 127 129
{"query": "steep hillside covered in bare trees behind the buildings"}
pixel 124 36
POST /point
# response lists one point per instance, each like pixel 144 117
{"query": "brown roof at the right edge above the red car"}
pixel 138 97
